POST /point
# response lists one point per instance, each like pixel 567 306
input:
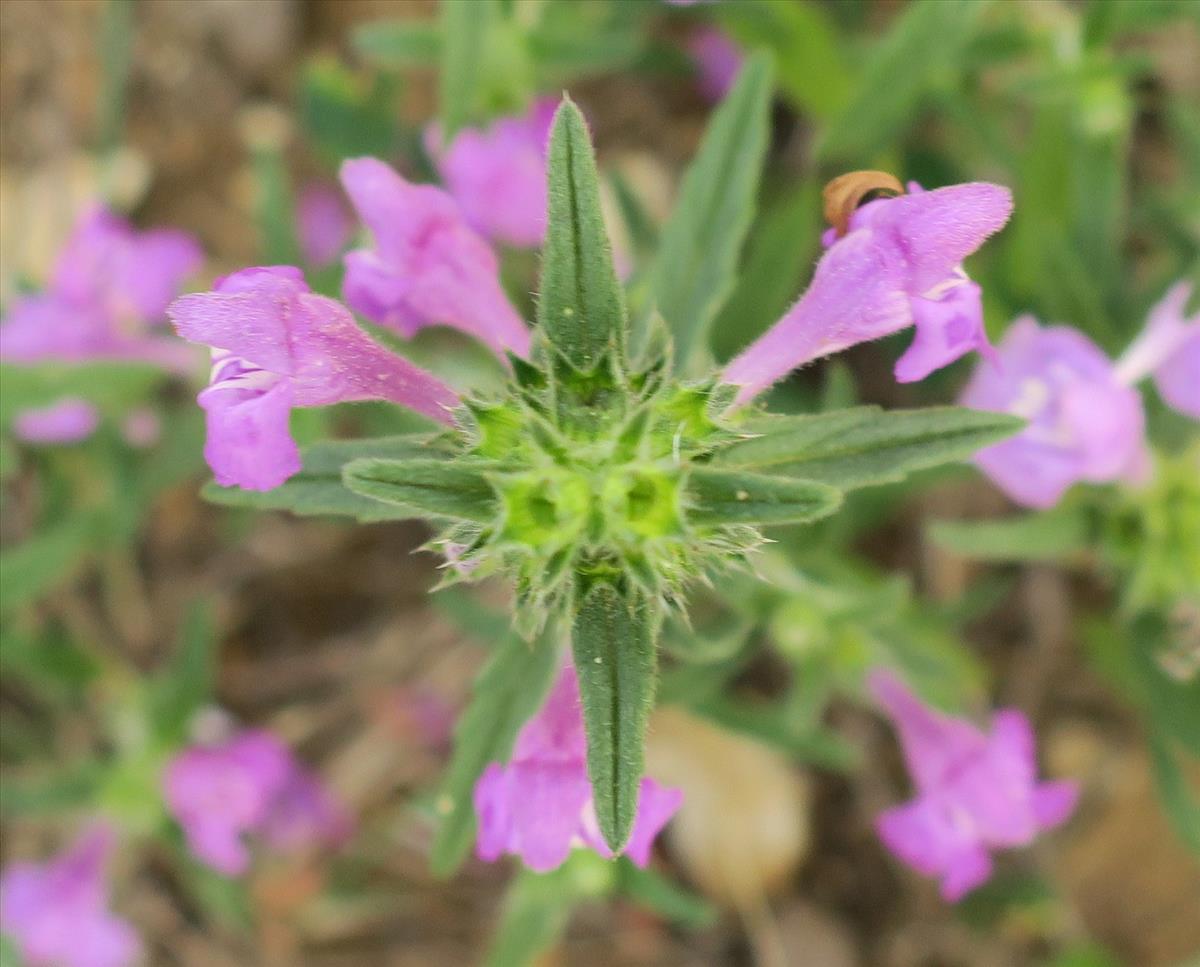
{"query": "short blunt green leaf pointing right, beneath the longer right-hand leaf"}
pixel 740 497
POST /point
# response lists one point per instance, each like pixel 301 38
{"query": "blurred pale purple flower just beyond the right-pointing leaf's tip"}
pixel 1084 423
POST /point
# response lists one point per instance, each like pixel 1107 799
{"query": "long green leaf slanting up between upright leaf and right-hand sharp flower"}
pixel 698 260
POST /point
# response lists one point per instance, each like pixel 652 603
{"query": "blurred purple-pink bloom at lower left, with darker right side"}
pixel 249 785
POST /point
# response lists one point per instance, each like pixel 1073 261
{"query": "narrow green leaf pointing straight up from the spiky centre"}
pixel 581 308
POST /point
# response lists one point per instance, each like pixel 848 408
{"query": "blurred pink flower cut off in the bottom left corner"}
pixel 58 912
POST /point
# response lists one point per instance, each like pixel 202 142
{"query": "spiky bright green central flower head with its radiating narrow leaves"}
pixel 602 482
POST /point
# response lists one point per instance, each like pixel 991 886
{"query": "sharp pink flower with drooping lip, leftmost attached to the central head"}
pixel 278 346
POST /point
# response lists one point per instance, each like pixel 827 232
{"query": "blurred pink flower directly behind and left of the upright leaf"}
pixel 497 175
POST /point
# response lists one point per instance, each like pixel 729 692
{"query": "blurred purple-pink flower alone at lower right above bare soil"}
pixel 976 792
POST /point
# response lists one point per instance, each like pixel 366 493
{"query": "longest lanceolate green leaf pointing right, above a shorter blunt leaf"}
pixel 865 447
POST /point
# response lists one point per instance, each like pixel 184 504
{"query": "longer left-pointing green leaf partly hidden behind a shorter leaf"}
pixel 319 490
